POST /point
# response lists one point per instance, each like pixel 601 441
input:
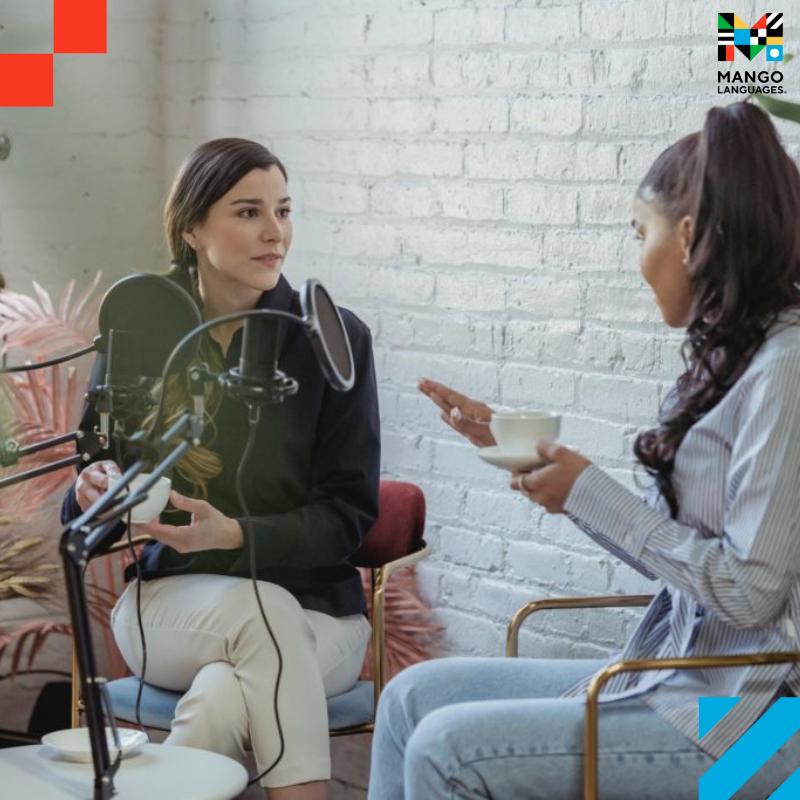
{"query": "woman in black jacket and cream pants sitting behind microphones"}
pixel 311 490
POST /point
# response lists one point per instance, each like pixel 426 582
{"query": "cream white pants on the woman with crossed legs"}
pixel 205 637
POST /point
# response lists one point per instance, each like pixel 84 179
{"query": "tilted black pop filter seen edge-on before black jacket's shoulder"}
pixel 328 335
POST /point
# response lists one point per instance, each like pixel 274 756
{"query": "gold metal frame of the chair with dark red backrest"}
pixel 380 577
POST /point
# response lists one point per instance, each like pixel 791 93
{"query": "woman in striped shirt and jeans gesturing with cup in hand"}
pixel 717 215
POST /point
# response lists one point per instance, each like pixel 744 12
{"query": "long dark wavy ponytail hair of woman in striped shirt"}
pixel 742 192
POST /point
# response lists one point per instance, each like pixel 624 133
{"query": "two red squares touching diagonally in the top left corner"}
pixel 26 79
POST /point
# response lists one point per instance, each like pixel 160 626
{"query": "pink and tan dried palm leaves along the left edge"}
pixel 35 406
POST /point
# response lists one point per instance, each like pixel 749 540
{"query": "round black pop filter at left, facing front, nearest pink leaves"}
pixel 142 317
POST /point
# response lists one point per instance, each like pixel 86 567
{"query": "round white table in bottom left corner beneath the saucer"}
pixel 156 772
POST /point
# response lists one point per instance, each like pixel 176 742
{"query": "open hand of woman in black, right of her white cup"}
pixel 209 530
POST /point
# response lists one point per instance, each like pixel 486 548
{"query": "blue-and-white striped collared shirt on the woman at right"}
pixel 730 562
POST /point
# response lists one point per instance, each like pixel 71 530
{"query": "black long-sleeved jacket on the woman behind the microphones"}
pixel 312 483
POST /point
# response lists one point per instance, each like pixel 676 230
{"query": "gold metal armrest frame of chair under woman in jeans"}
pixel 590 741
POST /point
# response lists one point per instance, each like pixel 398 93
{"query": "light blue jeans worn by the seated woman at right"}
pixel 497 728
